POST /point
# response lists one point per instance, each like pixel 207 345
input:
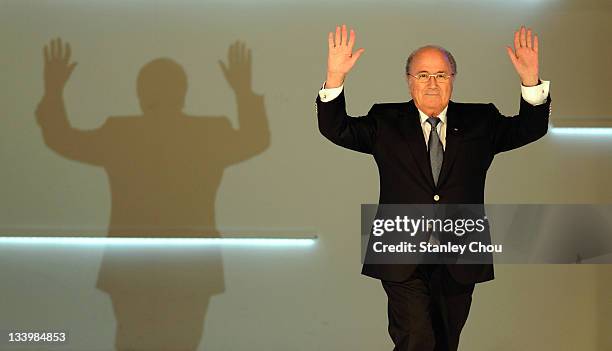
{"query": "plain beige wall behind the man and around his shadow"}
pixel 311 299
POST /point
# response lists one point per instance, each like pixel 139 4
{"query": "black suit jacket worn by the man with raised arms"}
pixel 392 133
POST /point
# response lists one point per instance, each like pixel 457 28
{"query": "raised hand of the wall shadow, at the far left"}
pixel 57 66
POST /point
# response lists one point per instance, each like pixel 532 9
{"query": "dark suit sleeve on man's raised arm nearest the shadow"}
pixel 355 133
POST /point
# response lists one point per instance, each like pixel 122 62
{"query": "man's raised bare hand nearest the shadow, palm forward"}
pixel 340 58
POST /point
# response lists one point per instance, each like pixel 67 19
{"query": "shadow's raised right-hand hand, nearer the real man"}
pixel 238 71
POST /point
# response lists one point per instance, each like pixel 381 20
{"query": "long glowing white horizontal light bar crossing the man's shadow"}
pixel 160 242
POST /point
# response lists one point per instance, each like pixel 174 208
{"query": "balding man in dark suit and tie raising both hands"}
pixel 431 150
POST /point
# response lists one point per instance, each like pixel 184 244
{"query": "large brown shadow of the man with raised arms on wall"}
pixel 164 169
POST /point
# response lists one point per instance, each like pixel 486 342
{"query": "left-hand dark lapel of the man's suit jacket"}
pixel 413 132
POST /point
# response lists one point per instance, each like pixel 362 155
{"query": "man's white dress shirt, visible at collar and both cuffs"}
pixel 535 95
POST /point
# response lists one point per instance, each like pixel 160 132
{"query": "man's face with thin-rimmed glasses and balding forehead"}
pixel 433 95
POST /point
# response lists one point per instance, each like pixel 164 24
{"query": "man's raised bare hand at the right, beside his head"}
pixel 524 57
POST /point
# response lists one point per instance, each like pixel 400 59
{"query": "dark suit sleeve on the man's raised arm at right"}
pixel 513 132
